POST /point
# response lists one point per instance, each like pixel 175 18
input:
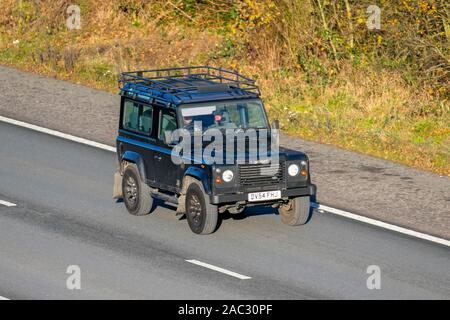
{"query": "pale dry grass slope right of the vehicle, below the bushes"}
pixel 370 112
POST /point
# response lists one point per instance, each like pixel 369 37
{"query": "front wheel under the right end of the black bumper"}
pixel 297 212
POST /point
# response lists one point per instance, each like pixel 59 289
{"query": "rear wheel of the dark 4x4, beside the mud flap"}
pixel 136 194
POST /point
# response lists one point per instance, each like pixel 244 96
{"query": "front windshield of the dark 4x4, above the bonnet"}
pixel 243 114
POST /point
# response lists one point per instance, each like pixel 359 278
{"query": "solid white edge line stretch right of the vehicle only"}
pixel 382 224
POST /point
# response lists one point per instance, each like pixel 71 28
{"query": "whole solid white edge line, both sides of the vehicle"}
pixel 314 205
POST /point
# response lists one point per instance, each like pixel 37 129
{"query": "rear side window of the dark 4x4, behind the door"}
pixel 137 117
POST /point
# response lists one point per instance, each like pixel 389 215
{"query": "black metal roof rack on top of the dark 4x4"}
pixel 185 80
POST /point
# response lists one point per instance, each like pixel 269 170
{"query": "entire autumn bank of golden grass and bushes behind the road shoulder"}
pixel 325 73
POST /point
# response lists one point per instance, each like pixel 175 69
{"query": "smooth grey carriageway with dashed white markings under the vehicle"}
pixel 65 216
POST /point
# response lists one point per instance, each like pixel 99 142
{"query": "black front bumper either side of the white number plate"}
pixel 309 190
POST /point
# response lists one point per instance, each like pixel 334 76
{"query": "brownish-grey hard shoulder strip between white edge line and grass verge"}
pixel 354 182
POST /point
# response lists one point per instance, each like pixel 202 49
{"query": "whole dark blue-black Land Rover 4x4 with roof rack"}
pixel 157 105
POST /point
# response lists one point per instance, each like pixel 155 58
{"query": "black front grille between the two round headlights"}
pixel 261 174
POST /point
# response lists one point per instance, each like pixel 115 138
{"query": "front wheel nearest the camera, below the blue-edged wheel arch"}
pixel 201 215
